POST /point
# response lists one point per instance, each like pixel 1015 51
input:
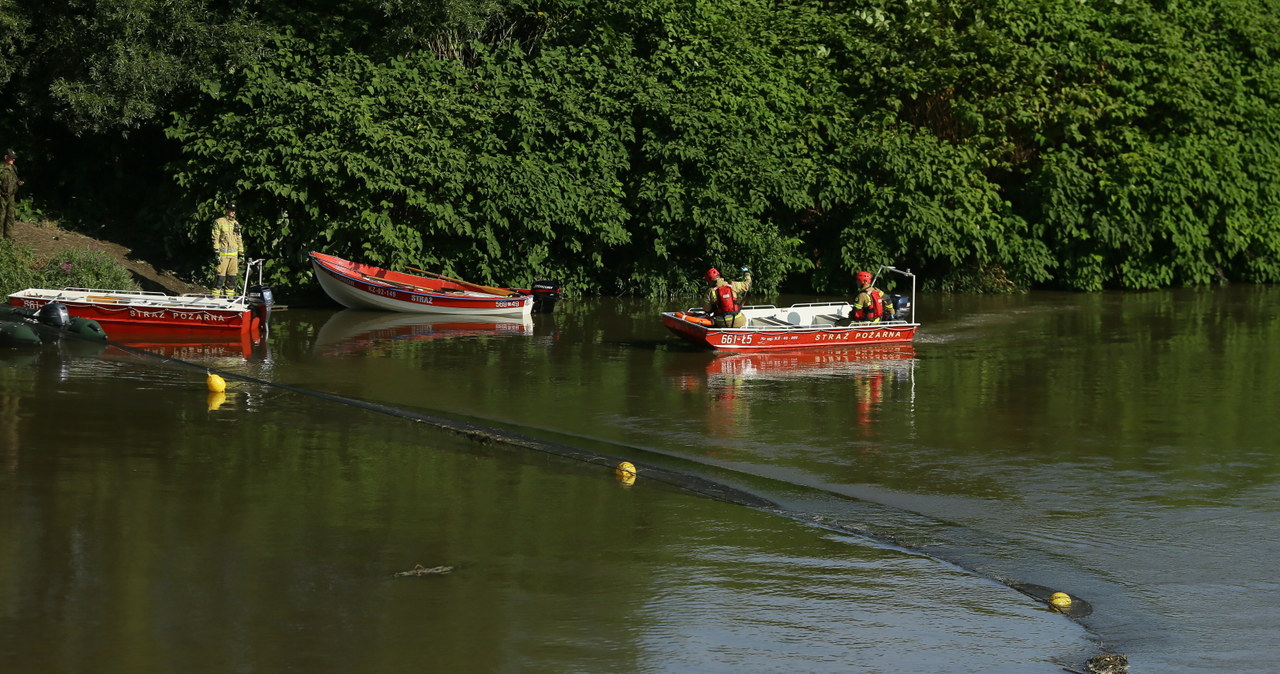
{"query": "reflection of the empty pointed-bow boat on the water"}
pixel 351 332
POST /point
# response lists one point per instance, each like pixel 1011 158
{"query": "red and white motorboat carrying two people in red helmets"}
pixel 799 327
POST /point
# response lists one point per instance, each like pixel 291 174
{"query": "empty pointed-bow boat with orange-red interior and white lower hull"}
pixel 365 287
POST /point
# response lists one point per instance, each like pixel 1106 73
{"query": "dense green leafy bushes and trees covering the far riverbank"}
pixel 624 148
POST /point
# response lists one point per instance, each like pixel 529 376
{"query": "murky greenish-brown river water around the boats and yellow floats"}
pixel 845 511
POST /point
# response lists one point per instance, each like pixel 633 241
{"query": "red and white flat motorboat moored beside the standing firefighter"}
pixel 125 314
